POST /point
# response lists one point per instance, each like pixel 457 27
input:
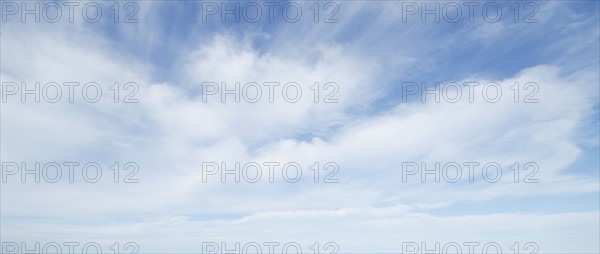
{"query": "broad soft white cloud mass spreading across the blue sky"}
pixel 171 132
